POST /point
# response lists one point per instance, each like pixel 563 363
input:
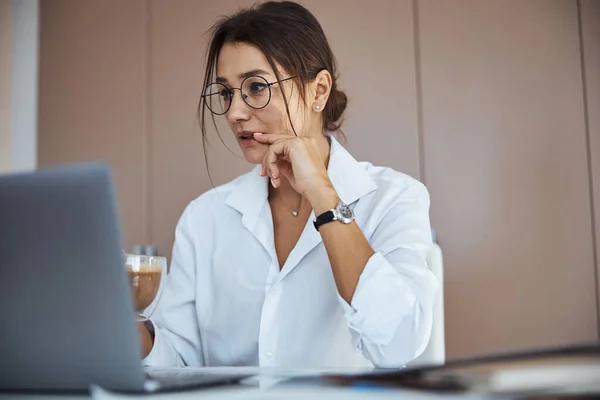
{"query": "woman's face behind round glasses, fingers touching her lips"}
pixel 236 62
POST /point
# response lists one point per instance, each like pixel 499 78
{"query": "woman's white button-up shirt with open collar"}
pixel 226 301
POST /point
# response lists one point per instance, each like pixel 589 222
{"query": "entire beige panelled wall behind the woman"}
pixel 490 117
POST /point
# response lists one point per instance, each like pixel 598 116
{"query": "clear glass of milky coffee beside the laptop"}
pixel 147 275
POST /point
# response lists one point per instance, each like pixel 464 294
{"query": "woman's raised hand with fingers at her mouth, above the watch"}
pixel 298 159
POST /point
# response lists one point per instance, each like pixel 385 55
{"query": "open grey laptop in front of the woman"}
pixel 66 315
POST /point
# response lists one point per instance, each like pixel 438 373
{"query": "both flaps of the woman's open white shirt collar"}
pixel 350 180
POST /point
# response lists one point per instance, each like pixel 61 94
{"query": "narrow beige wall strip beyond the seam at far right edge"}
pixel 590 24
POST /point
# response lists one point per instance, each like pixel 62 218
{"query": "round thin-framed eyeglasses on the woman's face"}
pixel 255 91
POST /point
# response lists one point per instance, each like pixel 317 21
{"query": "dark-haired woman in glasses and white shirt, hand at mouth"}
pixel 312 259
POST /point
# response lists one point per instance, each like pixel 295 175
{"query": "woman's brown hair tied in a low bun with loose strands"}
pixel 289 35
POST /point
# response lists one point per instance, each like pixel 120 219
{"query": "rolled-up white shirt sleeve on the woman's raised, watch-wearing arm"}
pixel 391 313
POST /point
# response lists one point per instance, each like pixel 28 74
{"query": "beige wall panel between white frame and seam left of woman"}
pixel 93 94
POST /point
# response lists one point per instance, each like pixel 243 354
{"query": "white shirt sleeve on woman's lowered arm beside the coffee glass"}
pixel 177 337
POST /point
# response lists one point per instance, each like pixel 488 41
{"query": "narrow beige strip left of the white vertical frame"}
pixel 5 82
